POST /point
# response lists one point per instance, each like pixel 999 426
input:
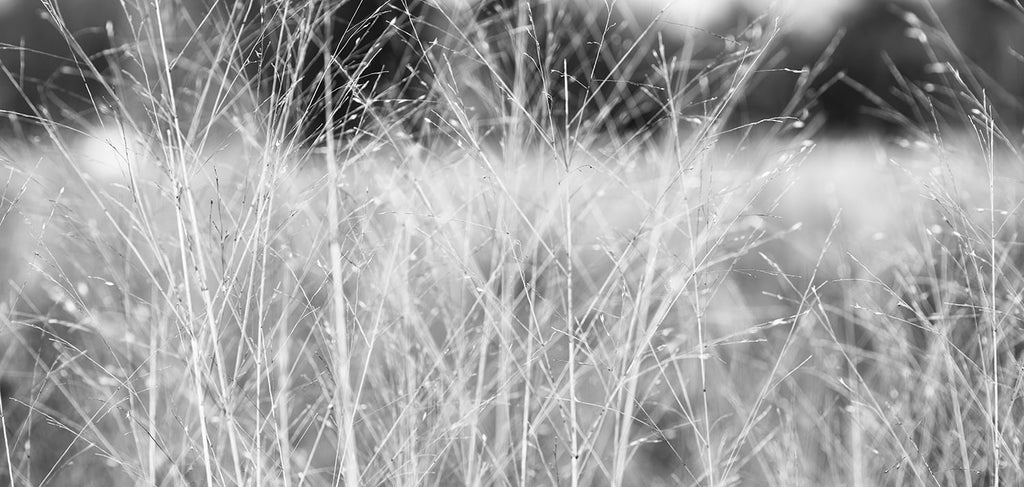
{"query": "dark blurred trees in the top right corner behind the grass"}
pixel 894 66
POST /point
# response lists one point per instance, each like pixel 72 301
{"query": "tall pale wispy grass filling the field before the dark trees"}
pixel 197 294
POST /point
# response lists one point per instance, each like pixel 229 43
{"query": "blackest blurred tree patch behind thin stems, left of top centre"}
pixel 378 67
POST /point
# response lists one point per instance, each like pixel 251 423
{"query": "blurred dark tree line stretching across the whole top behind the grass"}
pixel 572 66
